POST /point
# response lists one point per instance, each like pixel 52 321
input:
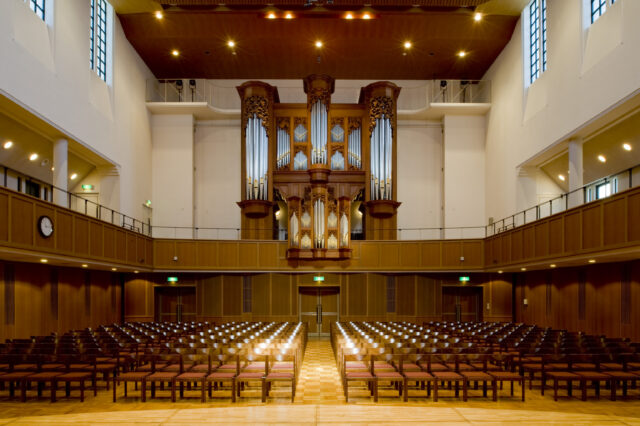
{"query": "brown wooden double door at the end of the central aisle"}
pixel 319 308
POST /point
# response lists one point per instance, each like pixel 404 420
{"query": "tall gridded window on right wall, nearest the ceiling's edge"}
pixel 537 38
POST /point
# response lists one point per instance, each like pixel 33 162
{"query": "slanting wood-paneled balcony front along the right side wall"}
pixel 612 223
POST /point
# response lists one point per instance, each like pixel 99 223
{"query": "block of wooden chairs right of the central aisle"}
pixel 441 359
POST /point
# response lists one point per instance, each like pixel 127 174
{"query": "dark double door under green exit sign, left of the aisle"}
pixel 175 304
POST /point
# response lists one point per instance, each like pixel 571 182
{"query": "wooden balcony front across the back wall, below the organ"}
pixel 271 256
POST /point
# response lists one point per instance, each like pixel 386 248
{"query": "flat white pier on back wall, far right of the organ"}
pixel 464 171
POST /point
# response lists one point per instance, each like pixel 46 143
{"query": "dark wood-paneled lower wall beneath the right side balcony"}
pixel 596 299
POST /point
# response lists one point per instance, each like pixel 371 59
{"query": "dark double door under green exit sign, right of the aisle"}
pixel 461 303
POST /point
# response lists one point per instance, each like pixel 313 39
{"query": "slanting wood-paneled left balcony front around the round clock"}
pixel 75 235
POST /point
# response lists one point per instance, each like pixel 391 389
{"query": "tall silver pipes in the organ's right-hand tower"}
pixel 381 153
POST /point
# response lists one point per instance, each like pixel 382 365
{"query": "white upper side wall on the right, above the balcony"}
pixel 589 71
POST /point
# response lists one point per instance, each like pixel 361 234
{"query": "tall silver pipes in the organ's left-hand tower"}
pixel 256 162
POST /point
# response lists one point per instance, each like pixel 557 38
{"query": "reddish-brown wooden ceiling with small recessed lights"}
pixel 352 49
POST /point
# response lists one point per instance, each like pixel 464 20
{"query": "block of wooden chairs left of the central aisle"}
pixel 180 358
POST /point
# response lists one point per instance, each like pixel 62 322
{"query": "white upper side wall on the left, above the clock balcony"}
pixel 45 68
